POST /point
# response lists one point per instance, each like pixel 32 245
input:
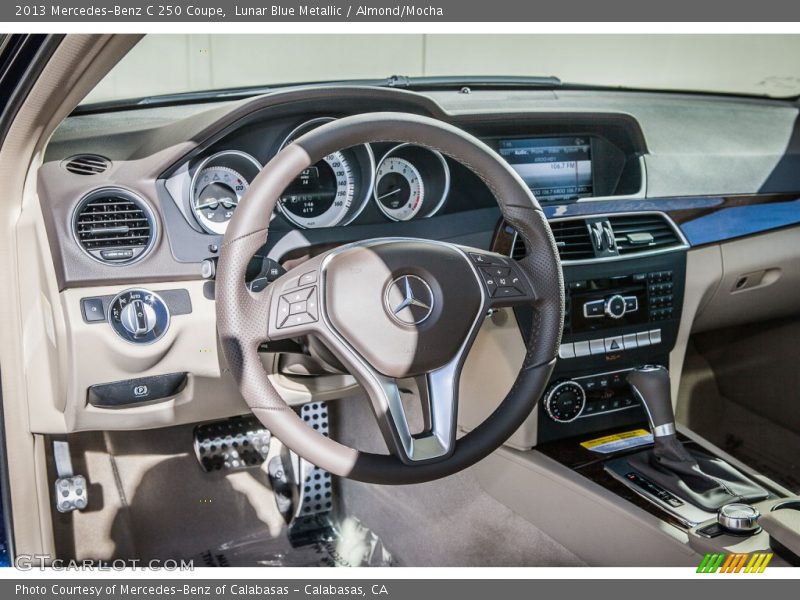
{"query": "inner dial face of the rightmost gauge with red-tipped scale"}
pixel 399 189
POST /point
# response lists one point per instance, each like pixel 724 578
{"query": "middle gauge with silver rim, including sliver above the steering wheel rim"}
pixel 332 191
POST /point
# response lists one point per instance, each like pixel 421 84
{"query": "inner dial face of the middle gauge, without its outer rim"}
pixel 321 196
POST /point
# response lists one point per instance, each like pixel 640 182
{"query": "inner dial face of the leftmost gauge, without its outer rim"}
pixel 217 191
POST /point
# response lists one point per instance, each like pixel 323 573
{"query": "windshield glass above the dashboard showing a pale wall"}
pixel 765 65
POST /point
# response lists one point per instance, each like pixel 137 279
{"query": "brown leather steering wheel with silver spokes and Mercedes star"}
pixel 391 308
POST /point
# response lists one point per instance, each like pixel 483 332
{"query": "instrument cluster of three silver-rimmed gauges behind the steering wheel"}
pixel 403 181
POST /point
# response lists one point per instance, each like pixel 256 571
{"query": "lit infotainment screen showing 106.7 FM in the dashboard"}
pixel 555 169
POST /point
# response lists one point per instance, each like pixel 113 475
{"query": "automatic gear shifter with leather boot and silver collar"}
pixel 693 476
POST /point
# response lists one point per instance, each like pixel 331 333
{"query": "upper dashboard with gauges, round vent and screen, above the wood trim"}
pixel 186 168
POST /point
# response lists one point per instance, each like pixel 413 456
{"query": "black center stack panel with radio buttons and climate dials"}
pixel 619 314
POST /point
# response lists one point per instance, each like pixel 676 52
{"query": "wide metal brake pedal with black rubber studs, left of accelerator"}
pixel 231 445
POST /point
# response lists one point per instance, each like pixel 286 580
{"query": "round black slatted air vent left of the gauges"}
pixel 114 226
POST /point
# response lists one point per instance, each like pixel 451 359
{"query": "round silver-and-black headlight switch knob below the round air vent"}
pixel 139 316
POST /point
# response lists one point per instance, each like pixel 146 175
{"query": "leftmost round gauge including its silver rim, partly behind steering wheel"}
pixel 218 185
